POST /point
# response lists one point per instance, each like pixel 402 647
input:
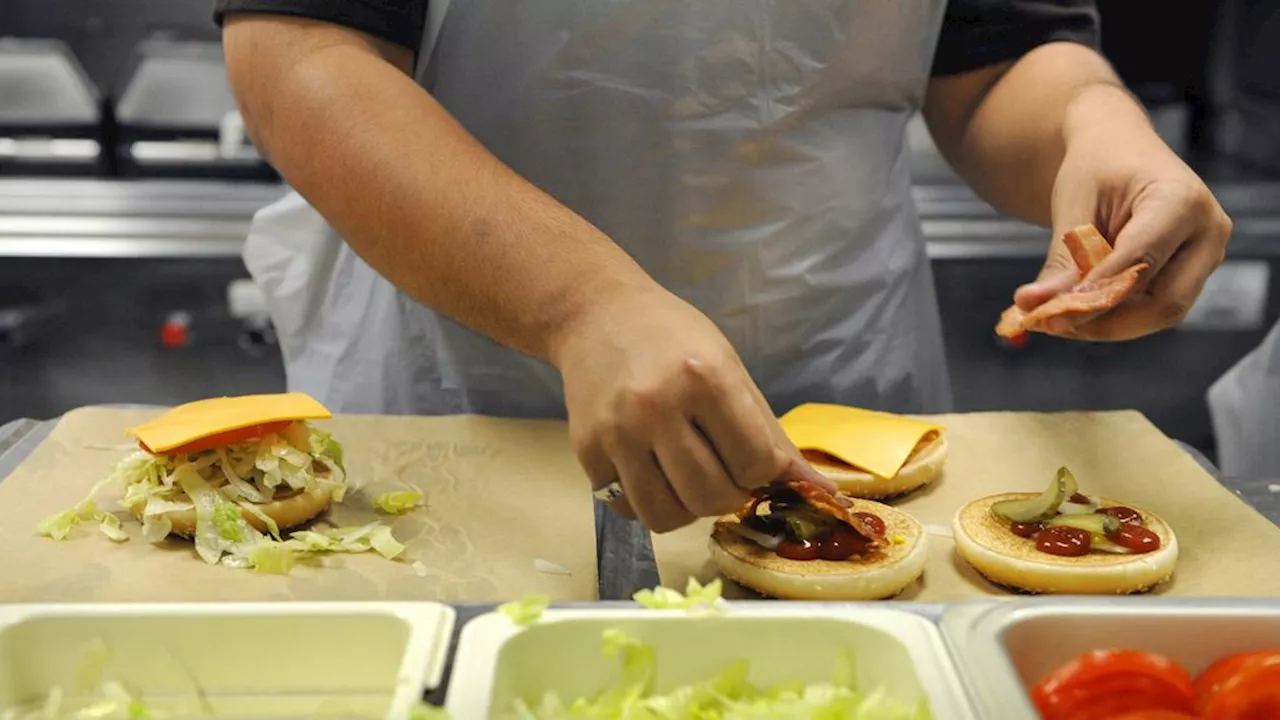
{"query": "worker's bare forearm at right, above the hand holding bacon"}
pixel 1007 134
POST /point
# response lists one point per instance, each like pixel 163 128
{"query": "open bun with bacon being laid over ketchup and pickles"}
pixel 797 541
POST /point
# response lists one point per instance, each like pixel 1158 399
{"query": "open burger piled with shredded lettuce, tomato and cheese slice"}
pixel 227 473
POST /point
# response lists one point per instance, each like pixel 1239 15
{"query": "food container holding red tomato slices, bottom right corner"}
pixel 1132 659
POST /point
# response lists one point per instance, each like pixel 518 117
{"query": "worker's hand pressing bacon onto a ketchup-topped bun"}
pixel 660 402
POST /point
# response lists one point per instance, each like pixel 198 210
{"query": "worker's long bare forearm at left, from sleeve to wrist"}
pixel 413 193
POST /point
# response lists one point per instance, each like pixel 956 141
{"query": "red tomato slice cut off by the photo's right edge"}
pixel 1242 687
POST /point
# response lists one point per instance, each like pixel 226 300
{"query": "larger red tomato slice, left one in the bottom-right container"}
pixel 1103 685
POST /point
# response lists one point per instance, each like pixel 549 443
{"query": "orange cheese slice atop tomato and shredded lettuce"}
pixel 204 418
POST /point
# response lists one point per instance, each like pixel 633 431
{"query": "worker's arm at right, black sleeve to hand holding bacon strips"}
pixel 1052 135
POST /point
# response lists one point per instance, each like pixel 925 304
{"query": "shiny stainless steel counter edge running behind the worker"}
pixel 81 218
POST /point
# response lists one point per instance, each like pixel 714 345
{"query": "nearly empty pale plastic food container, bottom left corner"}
pixel 248 660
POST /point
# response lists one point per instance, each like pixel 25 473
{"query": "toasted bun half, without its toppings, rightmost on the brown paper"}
pixel 986 543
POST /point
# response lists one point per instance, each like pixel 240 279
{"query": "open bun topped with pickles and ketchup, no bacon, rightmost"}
pixel 1066 543
